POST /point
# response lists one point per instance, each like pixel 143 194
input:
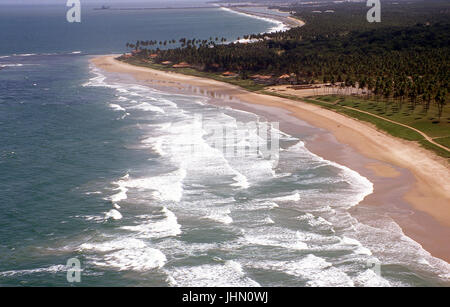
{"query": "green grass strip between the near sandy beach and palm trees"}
pixel 418 118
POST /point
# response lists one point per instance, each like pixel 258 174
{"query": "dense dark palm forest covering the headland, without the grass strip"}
pixel 403 58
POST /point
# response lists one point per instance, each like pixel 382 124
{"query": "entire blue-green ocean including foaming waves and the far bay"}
pixel 129 179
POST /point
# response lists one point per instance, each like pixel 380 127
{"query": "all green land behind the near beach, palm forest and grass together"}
pixel 399 68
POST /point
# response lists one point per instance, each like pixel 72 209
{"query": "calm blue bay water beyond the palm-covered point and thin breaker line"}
pixel 43 29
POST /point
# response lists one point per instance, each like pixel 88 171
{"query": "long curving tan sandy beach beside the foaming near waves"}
pixel 407 178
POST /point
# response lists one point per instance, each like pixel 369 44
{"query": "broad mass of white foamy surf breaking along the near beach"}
pixel 187 194
